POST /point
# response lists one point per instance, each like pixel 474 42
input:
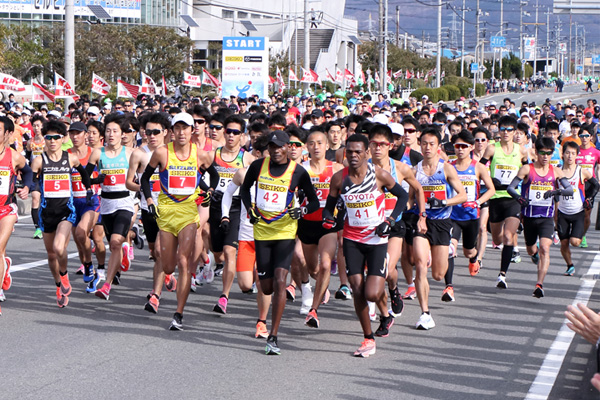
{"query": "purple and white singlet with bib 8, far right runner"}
pixel 534 190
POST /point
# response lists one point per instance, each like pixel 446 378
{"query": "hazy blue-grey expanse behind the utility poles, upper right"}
pixel 418 17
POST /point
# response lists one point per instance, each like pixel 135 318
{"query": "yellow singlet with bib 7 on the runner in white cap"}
pixel 179 178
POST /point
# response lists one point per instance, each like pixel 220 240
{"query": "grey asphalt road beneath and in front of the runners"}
pixel 489 344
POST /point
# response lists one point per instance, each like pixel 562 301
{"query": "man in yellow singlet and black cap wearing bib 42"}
pixel 275 218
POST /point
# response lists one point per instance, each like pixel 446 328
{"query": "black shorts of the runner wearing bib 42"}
pixel 273 254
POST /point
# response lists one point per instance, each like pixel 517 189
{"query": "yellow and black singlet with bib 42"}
pixel 273 198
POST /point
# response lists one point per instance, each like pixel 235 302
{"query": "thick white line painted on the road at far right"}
pixel 546 376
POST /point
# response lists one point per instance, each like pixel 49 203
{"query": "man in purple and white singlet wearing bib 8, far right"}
pixel 541 182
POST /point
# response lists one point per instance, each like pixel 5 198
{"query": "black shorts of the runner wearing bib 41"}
pixel 358 254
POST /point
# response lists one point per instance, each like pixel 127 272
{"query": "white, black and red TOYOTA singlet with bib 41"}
pixel 365 206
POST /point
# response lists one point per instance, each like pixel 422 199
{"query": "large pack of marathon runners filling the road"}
pixel 284 196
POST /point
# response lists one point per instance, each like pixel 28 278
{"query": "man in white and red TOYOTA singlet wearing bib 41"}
pixel 361 187
